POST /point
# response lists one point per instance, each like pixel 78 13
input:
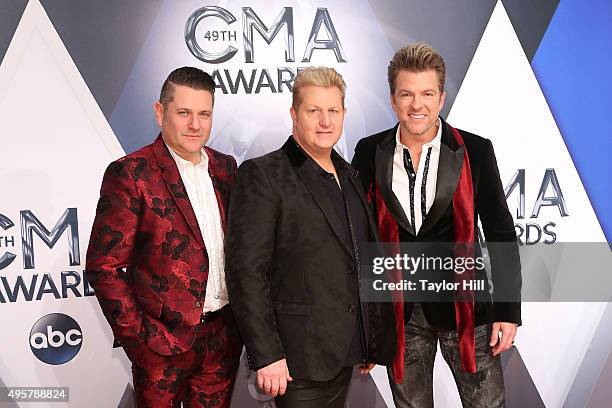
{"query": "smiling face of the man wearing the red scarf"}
pixel 417 101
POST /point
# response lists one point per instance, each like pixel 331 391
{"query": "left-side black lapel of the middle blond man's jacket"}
pixel 312 181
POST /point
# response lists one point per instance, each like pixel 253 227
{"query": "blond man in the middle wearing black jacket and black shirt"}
pixel 296 220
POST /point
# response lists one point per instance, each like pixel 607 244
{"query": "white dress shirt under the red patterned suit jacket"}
pixel 203 200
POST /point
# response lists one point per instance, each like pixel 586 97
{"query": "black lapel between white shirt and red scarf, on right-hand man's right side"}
pixel 449 169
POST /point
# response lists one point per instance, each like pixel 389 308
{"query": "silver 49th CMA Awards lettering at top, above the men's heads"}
pixel 205 39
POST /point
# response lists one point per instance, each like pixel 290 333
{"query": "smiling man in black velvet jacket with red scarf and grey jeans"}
pixel 429 183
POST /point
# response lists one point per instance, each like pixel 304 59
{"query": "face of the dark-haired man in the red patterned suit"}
pixel 186 121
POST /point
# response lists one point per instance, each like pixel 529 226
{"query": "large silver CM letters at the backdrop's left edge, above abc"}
pixel 31 225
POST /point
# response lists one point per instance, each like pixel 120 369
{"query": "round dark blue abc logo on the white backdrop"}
pixel 55 338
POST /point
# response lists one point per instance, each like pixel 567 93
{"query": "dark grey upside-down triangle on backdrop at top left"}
pixel 104 39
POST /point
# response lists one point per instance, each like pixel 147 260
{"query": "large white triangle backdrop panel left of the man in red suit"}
pixel 56 144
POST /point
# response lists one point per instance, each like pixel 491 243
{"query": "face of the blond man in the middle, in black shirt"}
pixel 318 120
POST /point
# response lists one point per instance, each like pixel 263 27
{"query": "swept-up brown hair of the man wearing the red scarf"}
pixel 417 57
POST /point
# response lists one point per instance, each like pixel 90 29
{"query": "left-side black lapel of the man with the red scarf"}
pixel 384 177
